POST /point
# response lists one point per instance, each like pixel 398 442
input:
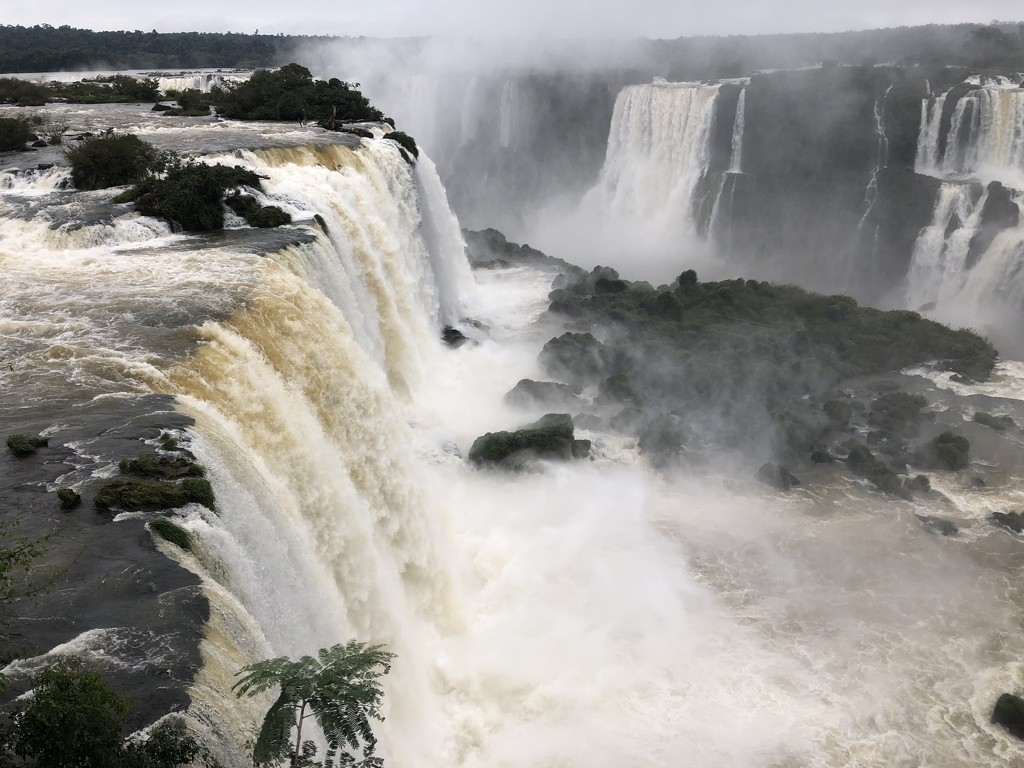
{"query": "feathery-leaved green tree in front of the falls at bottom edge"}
pixel 340 690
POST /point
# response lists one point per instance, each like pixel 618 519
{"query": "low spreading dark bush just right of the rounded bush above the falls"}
pixel 189 194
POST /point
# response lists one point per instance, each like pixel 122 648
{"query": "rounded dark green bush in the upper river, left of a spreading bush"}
pixel 110 160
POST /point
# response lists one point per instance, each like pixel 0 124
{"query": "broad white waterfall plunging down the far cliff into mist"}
pixel 639 218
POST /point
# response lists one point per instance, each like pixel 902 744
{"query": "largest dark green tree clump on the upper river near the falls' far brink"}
pixel 291 94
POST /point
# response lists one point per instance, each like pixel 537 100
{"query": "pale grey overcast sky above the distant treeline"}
pixel 665 19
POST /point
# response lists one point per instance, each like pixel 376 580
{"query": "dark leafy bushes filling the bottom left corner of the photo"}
pixel 74 719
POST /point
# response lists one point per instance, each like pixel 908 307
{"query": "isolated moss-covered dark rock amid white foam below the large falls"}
pixel 551 438
